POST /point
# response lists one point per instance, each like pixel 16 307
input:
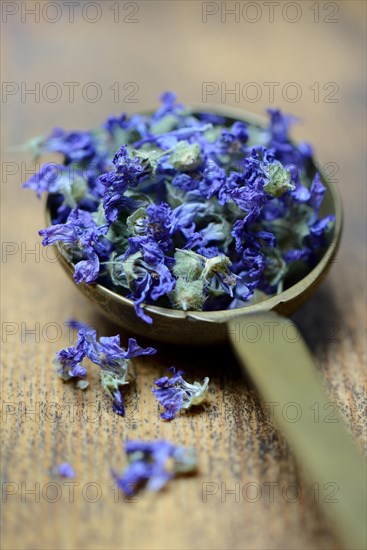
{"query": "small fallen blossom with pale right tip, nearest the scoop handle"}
pixel 175 393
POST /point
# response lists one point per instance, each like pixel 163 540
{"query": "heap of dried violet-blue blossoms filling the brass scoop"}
pixel 182 209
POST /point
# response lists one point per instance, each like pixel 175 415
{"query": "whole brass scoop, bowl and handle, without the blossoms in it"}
pixel 271 351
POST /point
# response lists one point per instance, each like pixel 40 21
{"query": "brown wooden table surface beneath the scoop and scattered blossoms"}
pixel 45 422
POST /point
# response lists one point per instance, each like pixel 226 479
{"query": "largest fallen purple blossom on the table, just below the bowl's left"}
pixel 113 360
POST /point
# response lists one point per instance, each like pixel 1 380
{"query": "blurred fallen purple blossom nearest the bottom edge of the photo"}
pixel 152 464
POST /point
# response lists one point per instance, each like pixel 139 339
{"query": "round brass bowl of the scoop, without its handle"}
pixel 207 328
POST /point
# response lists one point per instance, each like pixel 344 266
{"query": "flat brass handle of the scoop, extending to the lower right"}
pixel 272 352
